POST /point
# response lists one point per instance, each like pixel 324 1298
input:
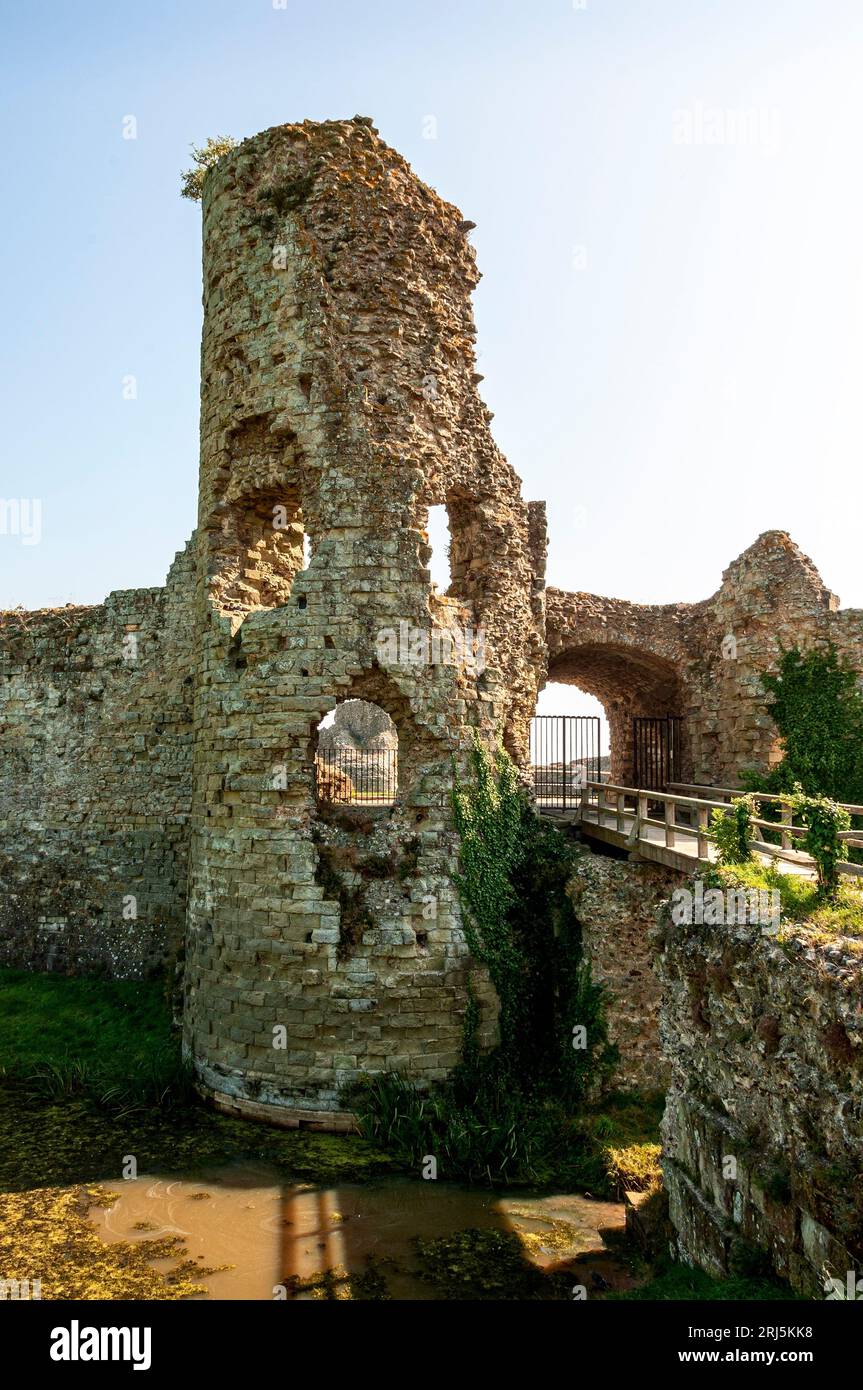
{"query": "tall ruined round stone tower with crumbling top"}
pixel 338 405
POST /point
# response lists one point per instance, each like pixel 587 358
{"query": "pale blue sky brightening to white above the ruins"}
pixel 671 220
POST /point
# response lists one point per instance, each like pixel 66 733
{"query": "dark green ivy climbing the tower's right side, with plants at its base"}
pixel 509 1115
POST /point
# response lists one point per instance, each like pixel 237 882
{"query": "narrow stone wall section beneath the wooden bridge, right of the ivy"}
pixel 618 906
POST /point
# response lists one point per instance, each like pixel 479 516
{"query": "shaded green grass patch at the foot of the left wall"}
pixel 106 1039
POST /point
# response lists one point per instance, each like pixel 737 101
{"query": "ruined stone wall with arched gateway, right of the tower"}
pixel 701 661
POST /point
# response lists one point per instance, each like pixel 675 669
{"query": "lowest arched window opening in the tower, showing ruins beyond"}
pixel 358 757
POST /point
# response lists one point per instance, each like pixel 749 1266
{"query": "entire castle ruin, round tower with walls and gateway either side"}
pixel 159 772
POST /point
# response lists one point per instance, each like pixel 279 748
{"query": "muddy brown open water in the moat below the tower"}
pixel 268 1232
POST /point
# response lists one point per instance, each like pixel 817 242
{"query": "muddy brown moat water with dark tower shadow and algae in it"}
pixel 397 1239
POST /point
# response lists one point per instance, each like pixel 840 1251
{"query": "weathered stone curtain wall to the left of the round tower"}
pixel 95 780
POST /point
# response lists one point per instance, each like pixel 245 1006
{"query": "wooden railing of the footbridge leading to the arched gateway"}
pixel 632 810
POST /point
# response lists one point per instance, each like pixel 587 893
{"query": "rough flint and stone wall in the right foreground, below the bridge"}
pixel 764 1139
